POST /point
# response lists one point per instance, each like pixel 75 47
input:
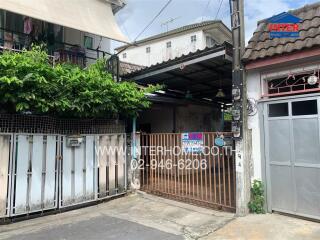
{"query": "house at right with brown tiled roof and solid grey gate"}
pixel 284 92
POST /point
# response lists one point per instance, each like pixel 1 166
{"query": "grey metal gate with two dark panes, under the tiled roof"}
pixel 292 144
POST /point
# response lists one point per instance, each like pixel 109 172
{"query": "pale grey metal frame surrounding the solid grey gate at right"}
pixel 265 163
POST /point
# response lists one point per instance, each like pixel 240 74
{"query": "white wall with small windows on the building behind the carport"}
pixel 180 44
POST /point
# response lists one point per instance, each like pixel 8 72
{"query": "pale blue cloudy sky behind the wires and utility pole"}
pixel 137 14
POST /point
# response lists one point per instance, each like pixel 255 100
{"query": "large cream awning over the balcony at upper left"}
pixel 92 16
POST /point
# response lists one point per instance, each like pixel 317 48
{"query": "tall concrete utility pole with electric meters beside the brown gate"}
pixel 240 116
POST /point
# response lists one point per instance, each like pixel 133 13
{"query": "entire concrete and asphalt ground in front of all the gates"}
pixel 143 217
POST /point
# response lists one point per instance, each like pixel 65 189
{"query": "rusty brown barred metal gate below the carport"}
pixel 205 177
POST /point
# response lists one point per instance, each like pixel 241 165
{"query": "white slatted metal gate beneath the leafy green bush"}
pixel 40 172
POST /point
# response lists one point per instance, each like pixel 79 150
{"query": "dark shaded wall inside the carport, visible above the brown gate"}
pixel 188 118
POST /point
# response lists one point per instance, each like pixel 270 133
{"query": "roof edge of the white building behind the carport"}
pixel 179 30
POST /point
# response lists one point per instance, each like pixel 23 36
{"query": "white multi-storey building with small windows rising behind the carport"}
pixel 175 43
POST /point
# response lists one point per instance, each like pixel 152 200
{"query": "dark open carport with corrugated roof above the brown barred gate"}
pixel 197 88
